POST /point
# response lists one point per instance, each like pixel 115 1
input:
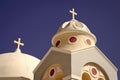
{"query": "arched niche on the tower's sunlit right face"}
pixel 93 71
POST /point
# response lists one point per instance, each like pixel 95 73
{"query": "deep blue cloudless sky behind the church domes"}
pixel 37 21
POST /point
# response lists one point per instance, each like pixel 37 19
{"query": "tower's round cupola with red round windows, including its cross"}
pixel 73 35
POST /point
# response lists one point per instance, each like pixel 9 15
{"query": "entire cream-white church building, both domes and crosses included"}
pixel 73 56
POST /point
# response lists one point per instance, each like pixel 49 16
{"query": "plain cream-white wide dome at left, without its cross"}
pixel 17 64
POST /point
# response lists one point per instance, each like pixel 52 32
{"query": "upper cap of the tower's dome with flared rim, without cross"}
pixel 73 26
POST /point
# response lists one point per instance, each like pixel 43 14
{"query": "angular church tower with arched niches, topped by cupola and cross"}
pixel 75 56
